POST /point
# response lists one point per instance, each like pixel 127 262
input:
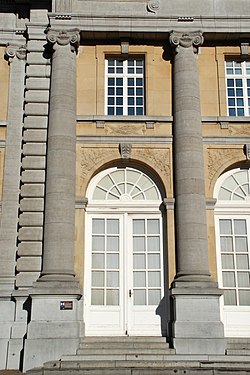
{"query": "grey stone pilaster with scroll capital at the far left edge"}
pixel 16 55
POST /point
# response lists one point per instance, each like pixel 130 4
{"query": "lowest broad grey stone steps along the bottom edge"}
pixel 190 367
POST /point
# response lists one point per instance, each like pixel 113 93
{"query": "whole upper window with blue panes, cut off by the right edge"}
pixel 238 88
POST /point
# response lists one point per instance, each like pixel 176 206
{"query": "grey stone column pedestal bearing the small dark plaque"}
pixel 55 327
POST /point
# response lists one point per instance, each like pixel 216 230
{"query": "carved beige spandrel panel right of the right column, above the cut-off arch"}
pixel 219 159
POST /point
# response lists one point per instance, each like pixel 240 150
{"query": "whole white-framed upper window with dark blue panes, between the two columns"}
pixel 124 86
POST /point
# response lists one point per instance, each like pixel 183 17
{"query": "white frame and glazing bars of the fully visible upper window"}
pixel 124 75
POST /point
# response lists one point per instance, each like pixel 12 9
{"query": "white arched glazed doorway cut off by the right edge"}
pixel 232 225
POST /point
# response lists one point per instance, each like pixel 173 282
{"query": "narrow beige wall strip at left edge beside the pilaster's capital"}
pixel 4 84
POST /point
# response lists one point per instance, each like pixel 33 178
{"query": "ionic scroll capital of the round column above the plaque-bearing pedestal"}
pixel 64 37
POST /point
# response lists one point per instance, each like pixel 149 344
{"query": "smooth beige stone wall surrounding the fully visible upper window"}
pixel 91 79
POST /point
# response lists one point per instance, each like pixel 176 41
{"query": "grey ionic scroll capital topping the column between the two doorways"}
pixel 186 40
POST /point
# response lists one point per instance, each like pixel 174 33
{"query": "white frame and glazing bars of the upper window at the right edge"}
pixel 244 76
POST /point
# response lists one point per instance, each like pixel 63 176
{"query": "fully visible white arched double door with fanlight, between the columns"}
pixel 124 254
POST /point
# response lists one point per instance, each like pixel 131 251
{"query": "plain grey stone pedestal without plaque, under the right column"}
pixel 196 326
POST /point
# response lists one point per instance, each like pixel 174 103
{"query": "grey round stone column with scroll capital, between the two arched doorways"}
pixel 191 229
